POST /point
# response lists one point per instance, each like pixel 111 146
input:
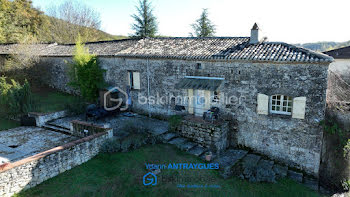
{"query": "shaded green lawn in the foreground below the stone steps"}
pixel 120 174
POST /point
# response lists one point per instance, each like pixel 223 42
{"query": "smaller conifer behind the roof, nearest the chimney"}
pixel 203 26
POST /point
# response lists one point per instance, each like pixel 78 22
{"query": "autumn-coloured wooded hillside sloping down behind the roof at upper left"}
pixel 20 22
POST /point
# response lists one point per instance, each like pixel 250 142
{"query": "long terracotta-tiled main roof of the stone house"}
pixel 210 48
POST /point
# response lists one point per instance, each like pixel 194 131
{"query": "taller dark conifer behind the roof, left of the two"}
pixel 145 22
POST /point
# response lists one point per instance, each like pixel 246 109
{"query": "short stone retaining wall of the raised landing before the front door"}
pixel 206 134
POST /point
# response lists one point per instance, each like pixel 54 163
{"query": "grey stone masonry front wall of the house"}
pixel 292 141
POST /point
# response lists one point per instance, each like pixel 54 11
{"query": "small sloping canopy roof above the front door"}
pixel 204 83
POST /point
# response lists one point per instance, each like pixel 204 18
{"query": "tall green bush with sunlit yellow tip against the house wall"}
pixel 85 73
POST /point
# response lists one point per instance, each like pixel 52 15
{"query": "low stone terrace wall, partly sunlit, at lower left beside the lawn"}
pixel 29 172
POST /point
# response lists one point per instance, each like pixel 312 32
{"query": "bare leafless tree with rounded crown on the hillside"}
pixel 71 18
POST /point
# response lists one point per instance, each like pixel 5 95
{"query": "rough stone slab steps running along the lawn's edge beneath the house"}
pixel 243 163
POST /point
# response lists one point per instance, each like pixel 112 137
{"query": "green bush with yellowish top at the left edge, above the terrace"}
pixel 15 99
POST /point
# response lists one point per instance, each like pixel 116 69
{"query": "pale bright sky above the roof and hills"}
pixel 291 21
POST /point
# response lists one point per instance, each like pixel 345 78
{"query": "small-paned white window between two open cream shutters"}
pixel 280 104
